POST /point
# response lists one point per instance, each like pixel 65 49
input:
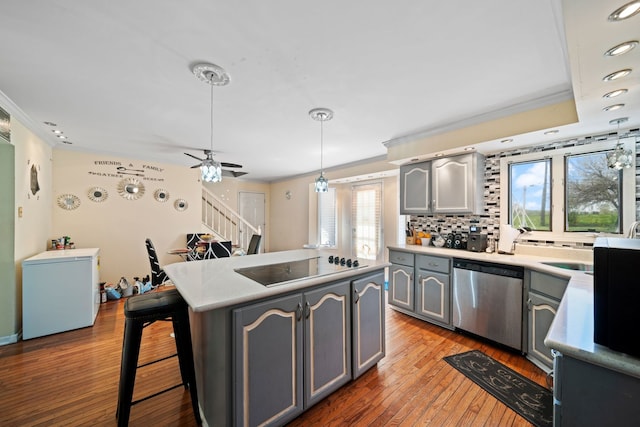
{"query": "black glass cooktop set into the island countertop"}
pixel 277 274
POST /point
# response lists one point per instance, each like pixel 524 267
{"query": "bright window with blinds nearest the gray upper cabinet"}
pixel 366 220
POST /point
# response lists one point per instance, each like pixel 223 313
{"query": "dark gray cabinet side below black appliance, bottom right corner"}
pixel 590 395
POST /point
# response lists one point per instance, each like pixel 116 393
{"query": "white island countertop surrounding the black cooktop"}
pixel 213 283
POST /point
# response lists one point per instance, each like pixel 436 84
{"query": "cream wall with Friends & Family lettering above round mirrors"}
pixel 119 226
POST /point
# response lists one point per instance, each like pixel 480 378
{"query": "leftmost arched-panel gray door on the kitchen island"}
pixel 268 361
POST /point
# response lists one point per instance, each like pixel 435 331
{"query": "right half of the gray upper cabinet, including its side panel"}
pixel 458 184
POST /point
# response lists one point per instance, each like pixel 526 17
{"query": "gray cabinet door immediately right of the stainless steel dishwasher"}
pixel 542 310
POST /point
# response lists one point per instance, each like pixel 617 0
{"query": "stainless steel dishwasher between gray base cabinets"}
pixel 487 300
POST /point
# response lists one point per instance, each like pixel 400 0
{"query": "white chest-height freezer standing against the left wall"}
pixel 60 291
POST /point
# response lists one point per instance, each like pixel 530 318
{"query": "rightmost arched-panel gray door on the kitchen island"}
pixel 368 323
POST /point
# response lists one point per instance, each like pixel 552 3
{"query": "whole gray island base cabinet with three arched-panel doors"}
pixel 290 352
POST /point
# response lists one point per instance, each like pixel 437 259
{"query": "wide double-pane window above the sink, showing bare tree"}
pixel 568 194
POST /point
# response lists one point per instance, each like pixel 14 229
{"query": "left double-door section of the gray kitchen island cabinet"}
pixel 271 347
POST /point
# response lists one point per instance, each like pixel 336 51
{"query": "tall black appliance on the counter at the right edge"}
pixel 616 294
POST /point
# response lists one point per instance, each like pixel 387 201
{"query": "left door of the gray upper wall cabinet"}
pixel 415 188
